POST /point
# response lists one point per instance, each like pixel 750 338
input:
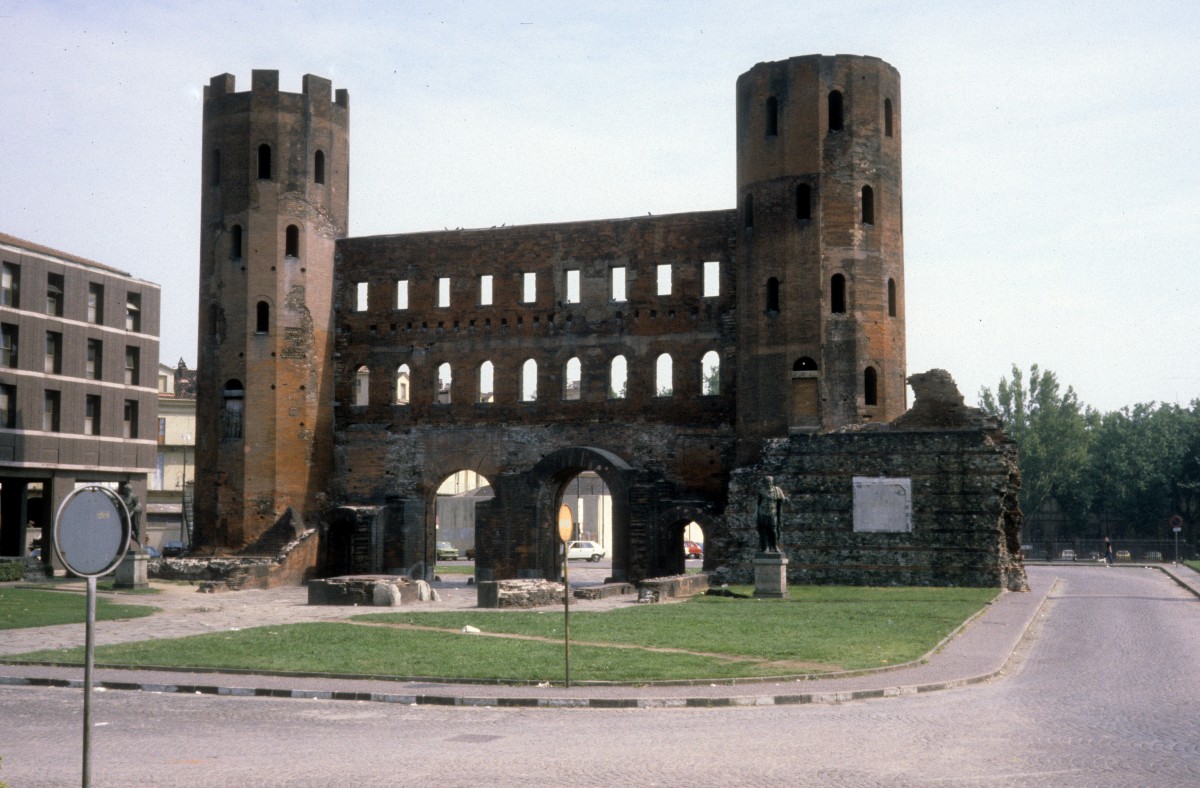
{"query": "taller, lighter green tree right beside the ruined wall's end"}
pixel 1053 431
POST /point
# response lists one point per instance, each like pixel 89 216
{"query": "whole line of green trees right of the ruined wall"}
pixel 1088 474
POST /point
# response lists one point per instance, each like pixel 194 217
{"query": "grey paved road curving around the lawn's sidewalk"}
pixel 1106 693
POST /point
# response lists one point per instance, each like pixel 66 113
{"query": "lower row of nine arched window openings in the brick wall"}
pixel 573 381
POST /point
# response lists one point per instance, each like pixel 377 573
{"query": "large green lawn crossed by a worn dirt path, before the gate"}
pixel 819 630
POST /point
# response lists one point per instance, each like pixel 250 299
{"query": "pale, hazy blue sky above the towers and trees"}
pixel 1051 165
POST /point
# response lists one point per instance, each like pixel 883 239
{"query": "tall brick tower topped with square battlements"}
pixel 274 203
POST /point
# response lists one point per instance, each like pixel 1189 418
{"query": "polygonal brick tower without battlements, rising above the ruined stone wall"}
pixel 821 341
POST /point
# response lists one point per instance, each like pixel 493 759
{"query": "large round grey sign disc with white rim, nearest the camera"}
pixel 92 532
